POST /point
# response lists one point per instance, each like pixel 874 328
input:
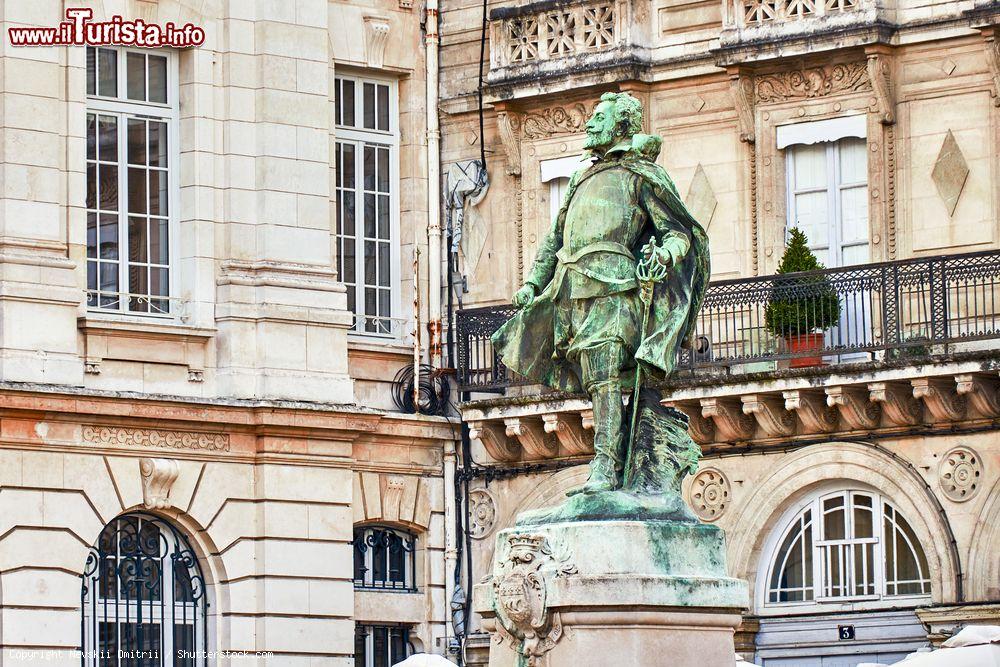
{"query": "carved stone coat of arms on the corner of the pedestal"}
pixel 519 597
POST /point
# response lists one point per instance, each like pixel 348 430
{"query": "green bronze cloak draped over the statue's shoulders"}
pixel 526 342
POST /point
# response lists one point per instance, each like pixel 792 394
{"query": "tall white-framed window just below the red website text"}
pixel 132 110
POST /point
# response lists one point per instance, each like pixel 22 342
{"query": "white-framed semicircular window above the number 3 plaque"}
pixel 849 545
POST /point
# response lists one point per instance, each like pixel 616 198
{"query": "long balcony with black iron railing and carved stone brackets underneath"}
pixel 907 344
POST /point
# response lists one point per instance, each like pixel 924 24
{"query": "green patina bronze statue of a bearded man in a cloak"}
pixel 612 295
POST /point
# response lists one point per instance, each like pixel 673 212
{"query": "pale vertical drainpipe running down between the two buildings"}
pixel 432 41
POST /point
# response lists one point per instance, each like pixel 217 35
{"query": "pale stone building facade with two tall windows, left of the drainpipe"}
pixel 205 293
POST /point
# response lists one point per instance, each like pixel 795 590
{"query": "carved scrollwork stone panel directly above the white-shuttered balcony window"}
pixel 812 82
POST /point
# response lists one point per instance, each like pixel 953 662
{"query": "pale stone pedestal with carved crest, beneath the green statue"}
pixel 596 593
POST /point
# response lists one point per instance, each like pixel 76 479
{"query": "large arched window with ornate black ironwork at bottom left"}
pixel 143 597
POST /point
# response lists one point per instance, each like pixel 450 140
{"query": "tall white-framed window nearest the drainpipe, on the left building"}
pixel 367 201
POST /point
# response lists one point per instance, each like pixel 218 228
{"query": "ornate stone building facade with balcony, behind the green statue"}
pixel 858 489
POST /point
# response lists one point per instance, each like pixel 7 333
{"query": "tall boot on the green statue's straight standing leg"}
pixel 608 462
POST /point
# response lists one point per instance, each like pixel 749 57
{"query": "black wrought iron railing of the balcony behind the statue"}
pixel 911 310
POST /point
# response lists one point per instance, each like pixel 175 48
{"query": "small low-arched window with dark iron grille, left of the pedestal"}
pixel 384 558
